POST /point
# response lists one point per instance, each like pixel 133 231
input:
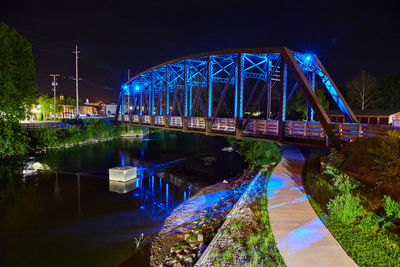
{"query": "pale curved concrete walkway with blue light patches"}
pixel 302 238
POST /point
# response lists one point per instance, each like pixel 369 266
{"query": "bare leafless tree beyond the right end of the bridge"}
pixel 362 91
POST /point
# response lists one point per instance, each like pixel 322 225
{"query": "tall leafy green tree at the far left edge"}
pixel 17 88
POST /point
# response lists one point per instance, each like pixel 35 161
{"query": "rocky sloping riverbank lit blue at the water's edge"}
pixel 194 223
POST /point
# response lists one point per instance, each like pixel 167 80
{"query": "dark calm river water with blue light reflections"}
pixel 70 215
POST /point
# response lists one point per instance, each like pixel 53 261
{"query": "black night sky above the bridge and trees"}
pixel 114 36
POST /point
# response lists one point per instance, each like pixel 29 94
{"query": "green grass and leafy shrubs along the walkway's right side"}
pixel 364 222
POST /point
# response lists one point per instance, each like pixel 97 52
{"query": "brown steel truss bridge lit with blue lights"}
pixel 242 93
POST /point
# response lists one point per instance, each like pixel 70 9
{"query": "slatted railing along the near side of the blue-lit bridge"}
pixel 295 132
